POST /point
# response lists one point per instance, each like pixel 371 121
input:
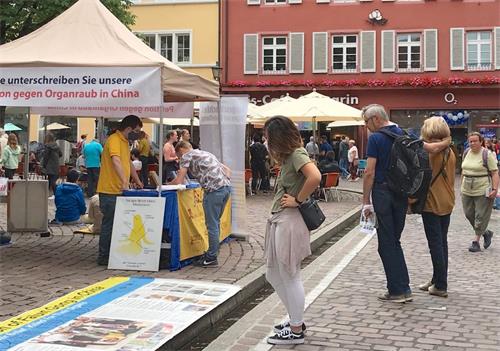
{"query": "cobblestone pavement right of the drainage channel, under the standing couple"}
pixel 346 315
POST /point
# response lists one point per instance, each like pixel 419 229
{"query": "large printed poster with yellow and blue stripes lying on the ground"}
pixel 122 314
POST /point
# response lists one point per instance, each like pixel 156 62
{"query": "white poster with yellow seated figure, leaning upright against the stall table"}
pixel 137 231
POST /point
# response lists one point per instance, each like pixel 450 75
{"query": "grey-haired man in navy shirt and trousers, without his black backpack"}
pixel 390 209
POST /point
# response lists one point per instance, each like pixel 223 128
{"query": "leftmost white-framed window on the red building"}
pixel 274 55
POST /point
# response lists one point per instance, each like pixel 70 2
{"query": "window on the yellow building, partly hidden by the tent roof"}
pixel 175 47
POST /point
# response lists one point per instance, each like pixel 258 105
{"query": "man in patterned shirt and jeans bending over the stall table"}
pixel 213 177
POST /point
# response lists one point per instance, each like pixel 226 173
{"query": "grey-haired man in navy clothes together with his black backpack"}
pixel 390 195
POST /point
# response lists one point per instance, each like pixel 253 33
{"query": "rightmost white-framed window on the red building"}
pixel 479 50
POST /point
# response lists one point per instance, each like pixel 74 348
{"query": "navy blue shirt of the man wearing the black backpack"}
pixel 379 147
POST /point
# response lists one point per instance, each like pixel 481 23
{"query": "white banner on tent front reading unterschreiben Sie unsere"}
pixel 80 86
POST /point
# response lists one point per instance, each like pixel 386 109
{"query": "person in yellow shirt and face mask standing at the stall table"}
pixel 116 170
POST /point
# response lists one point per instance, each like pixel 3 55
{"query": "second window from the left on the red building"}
pixel 344 50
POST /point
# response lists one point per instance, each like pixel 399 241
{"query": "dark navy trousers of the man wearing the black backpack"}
pixel 391 215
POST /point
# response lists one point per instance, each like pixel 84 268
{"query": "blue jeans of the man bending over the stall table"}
pixel 214 203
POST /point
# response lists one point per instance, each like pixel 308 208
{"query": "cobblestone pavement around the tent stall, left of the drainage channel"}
pixel 35 270
